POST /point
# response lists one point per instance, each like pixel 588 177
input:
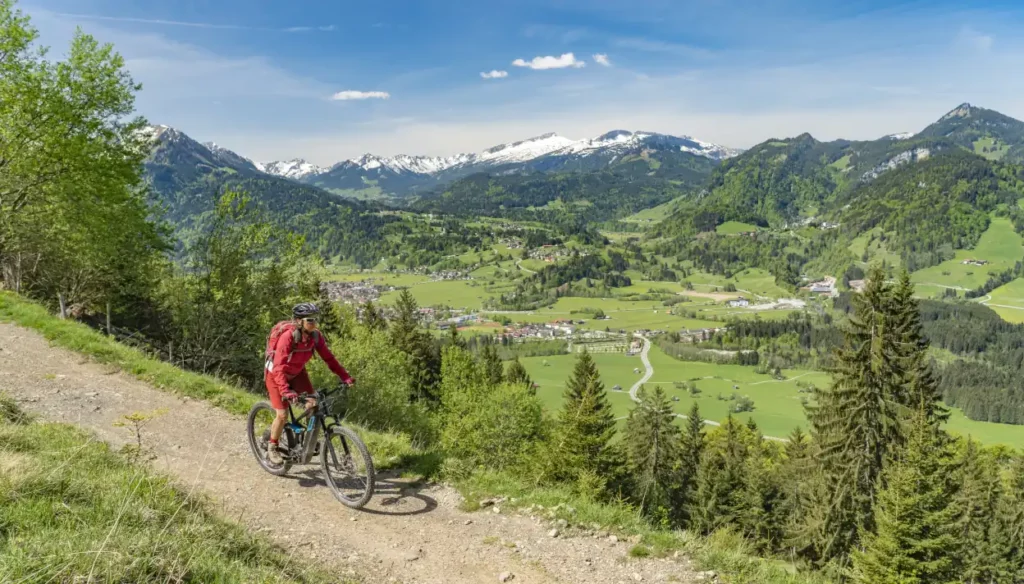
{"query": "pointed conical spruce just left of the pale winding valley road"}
pixel 586 425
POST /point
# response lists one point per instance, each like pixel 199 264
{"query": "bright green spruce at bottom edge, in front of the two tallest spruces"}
pixel 915 538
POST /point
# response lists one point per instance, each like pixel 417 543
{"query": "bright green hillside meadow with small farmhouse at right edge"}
pixel 1000 245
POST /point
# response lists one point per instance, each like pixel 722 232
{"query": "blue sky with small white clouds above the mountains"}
pixel 267 78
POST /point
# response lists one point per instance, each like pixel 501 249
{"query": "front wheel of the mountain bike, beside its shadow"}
pixel 348 468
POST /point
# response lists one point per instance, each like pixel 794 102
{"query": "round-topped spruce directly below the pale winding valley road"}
pixel 654 453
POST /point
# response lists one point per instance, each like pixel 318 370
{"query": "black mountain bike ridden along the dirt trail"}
pixel 346 462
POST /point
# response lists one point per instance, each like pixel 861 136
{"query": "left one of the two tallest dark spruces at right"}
pixel 859 422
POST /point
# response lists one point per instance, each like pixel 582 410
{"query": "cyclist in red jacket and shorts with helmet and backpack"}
pixel 290 347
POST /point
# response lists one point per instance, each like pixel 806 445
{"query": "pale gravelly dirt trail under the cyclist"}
pixel 408 533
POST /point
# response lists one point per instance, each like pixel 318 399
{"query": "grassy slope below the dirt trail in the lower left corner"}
pixel 74 511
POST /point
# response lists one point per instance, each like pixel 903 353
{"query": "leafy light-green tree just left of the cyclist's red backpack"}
pixel 239 279
